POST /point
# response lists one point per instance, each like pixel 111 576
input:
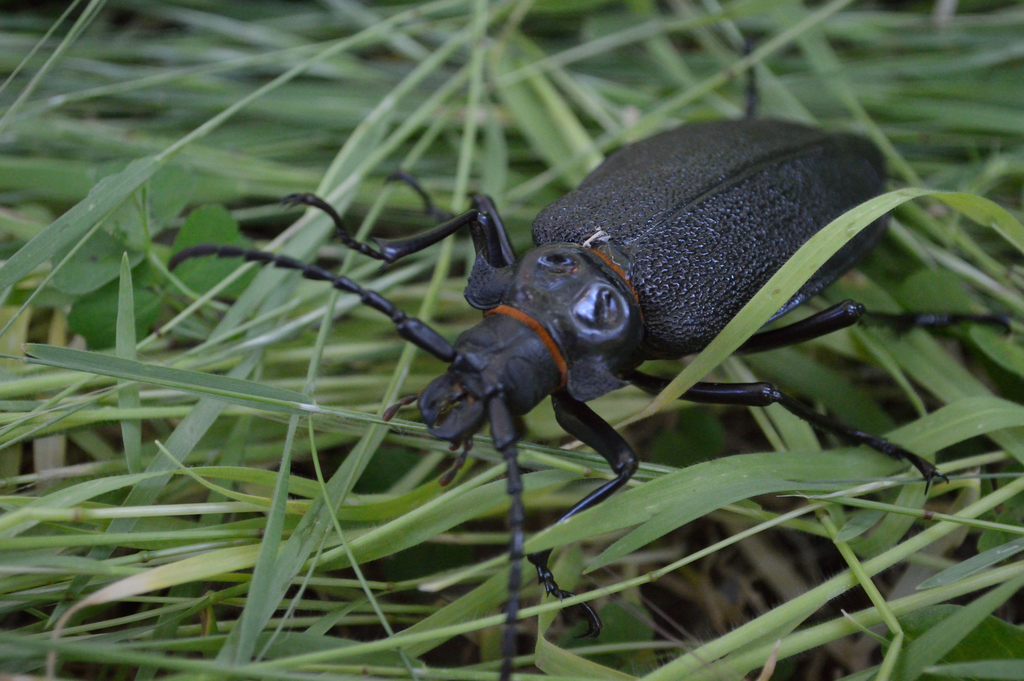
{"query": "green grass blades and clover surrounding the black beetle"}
pixel 197 478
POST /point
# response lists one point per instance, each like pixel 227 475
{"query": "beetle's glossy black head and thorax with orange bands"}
pixel 560 318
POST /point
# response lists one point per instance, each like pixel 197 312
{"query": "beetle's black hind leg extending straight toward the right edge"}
pixel 850 313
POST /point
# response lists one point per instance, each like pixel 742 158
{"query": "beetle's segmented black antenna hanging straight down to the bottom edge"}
pixel 504 436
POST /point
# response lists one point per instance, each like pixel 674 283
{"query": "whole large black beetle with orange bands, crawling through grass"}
pixel 650 258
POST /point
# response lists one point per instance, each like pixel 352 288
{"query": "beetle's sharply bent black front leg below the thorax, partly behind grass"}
pixel 581 422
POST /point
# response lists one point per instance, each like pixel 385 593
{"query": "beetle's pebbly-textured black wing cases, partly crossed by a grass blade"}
pixel 709 212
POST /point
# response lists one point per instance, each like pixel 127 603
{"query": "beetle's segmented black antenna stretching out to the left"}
pixel 410 328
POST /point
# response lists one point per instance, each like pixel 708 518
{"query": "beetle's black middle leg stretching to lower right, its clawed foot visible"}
pixel 764 395
